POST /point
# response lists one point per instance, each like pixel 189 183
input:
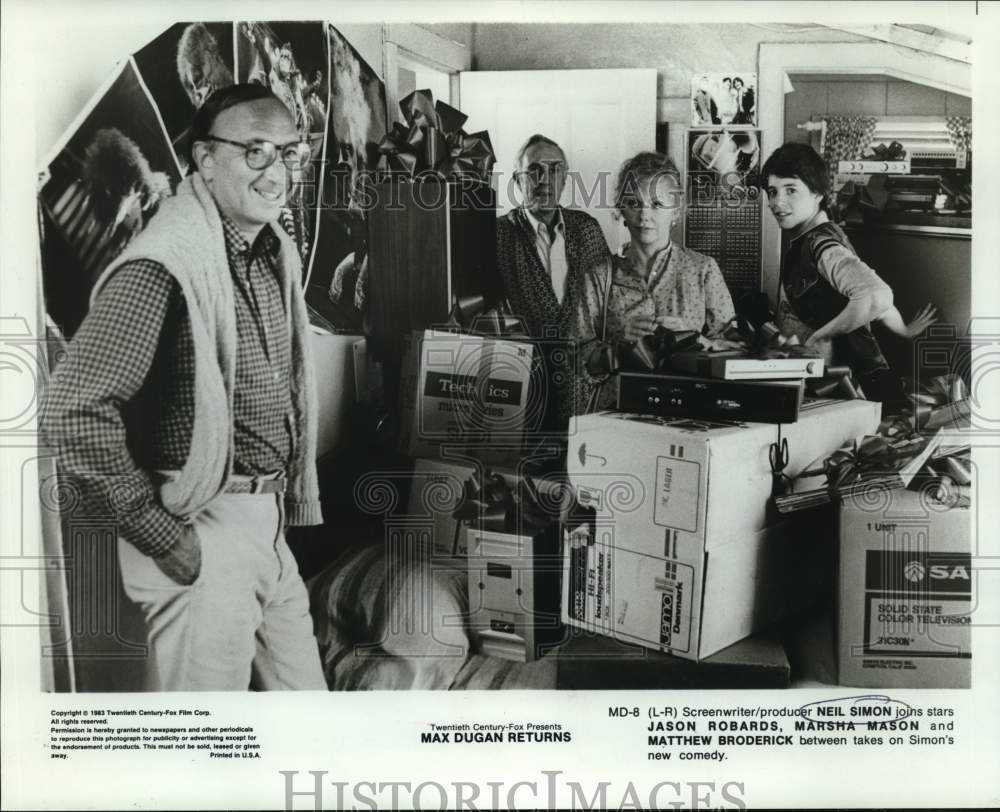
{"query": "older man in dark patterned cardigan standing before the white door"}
pixel 543 253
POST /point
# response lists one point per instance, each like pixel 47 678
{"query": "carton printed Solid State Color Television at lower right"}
pixel 904 592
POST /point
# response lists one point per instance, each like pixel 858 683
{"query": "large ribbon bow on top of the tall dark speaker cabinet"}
pixel 432 139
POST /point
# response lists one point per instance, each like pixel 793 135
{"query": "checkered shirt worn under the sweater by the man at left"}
pixel 121 405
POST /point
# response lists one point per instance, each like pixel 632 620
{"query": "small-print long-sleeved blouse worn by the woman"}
pixel 684 291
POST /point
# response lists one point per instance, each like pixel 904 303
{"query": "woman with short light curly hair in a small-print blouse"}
pixel 652 281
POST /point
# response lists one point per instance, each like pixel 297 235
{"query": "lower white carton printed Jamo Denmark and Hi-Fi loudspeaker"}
pixel 698 602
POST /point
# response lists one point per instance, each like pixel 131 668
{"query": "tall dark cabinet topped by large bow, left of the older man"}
pixel 430 243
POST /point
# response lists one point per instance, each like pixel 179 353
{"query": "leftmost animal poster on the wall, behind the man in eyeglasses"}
pixel 99 190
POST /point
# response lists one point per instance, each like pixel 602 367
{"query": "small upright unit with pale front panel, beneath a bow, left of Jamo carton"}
pixel 514 592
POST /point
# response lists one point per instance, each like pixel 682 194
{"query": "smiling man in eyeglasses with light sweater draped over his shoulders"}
pixel 185 411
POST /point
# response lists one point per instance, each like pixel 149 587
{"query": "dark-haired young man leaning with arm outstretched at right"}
pixel 828 296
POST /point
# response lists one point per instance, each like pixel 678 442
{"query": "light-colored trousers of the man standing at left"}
pixel 244 621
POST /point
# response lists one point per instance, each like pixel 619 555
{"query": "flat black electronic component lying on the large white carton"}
pixel 708 398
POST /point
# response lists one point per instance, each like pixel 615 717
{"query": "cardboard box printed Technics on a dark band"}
pixel 466 392
